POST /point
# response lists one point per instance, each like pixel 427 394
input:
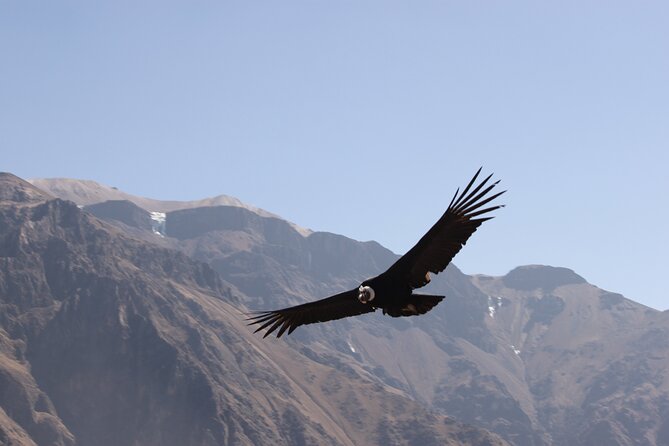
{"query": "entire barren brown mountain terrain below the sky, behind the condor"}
pixel 119 331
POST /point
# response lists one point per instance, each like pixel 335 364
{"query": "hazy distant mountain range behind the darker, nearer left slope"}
pixel 538 356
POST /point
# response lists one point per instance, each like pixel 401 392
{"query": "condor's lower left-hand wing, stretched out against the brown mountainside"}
pixel 334 307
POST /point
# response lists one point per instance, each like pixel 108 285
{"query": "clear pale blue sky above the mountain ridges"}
pixel 361 118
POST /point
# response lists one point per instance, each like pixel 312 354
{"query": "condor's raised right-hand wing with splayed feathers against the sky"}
pixel 435 250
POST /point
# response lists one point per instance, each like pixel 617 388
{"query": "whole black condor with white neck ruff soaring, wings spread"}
pixel 392 290
